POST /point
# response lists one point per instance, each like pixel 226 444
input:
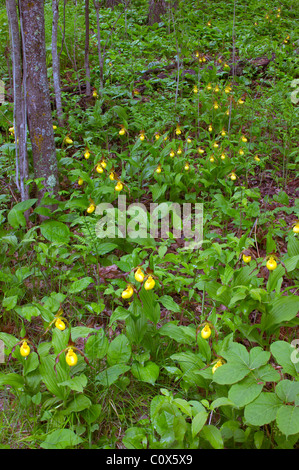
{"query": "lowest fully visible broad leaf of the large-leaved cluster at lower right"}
pixel 263 409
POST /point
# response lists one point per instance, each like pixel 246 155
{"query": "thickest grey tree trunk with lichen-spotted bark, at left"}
pixel 38 97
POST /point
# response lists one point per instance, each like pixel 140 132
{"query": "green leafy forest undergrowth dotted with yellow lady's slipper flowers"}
pixel 139 343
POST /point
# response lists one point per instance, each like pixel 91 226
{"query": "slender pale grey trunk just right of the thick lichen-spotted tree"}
pixel 55 63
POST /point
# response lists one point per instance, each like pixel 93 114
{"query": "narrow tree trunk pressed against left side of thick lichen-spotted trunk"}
pixel 19 92
